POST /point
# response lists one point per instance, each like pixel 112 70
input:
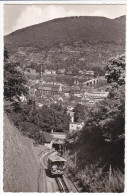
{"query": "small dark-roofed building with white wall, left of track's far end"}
pixel 48 139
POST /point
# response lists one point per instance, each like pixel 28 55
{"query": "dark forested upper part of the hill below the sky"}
pixel 68 30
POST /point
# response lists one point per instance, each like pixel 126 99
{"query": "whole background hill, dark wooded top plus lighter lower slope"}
pixel 81 42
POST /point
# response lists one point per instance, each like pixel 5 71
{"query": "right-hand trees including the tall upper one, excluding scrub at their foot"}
pixel 101 141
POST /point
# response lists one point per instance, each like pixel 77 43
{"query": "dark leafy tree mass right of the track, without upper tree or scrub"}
pixel 102 138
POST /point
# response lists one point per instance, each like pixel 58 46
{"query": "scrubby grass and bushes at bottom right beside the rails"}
pixel 93 179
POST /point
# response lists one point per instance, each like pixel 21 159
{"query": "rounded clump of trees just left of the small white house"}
pixel 48 118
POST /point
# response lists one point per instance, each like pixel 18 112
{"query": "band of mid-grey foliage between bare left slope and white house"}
pixel 33 121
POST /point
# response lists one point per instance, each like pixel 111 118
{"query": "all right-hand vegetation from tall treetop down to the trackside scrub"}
pixel 96 154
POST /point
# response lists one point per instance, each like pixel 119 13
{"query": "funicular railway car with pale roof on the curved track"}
pixel 56 165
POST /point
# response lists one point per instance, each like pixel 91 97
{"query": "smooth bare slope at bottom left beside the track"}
pixel 21 167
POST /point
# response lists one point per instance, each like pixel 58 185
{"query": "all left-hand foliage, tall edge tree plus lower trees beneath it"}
pixel 31 120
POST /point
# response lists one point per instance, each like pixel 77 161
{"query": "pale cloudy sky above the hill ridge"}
pixel 17 16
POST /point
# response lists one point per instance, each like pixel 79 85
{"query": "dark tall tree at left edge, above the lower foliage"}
pixel 14 80
